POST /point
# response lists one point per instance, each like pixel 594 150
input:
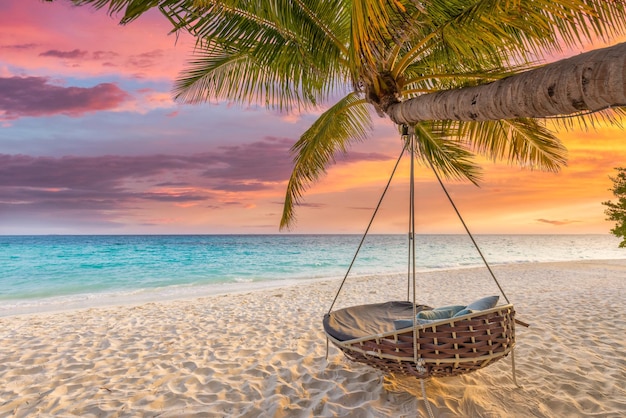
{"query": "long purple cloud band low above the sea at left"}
pixel 114 180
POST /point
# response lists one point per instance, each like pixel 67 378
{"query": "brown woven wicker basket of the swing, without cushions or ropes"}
pixel 444 348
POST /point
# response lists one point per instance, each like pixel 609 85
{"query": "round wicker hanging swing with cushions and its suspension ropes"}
pixel 406 338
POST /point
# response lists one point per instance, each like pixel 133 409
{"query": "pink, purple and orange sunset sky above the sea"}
pixel 91 142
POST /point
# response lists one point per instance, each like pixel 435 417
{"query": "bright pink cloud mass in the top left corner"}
pixel 31 38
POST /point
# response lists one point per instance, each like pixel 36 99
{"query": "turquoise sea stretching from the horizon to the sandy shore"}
pixel 52 272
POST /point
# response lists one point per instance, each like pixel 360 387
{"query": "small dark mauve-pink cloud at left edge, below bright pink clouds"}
pixel 35 96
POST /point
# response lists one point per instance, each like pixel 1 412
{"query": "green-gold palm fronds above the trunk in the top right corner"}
pixel 489 34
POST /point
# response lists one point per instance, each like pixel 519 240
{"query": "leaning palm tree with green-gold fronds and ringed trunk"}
pixel 441 67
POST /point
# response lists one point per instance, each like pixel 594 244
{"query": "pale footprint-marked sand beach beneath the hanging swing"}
pixel 262 353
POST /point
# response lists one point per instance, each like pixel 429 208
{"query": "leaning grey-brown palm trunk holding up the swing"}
pixel 591 81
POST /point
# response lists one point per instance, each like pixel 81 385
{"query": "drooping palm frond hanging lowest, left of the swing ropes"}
pixel 346 122
